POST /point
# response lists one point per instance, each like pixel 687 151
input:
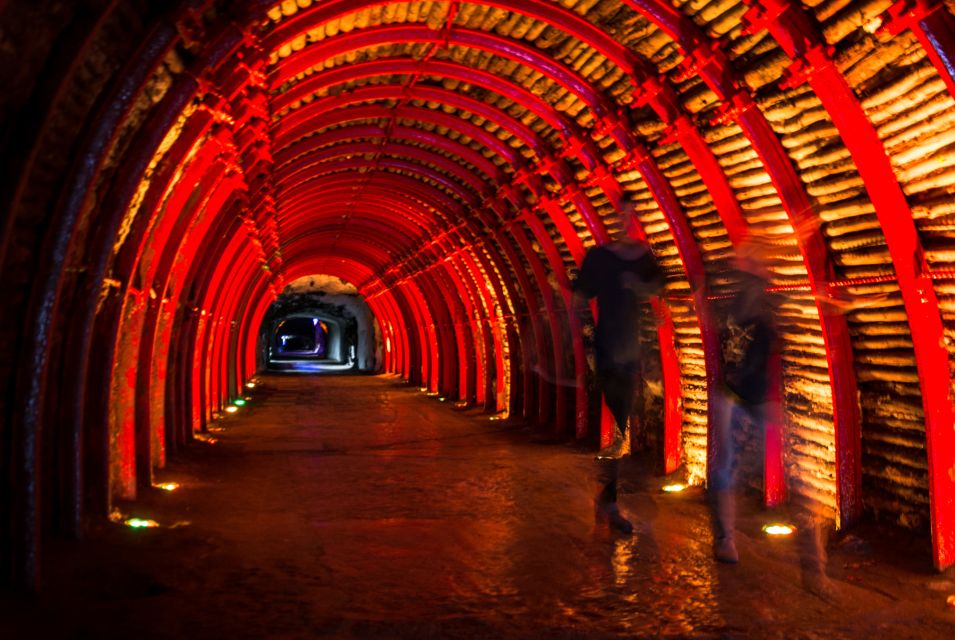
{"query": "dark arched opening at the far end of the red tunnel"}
pixel 319 324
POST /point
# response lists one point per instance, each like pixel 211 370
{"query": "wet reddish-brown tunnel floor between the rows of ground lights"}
pixel 357 507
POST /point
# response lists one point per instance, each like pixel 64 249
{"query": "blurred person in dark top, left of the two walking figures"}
pixel 622 275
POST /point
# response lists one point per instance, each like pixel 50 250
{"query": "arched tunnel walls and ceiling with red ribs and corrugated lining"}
pixel 170 169
